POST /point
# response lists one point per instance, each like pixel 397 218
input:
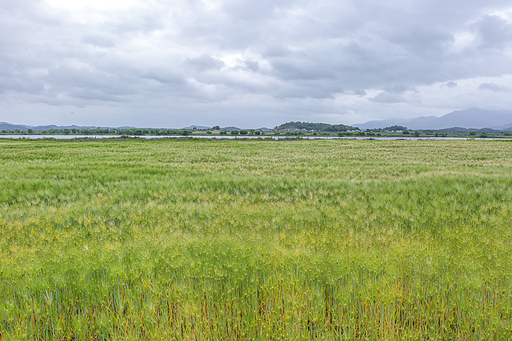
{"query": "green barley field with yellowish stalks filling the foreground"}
pixel 256 240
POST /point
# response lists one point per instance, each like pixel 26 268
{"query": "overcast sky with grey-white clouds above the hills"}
pixel 246 63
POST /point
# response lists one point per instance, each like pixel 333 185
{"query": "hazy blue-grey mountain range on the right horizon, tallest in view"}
pixel 470 118
